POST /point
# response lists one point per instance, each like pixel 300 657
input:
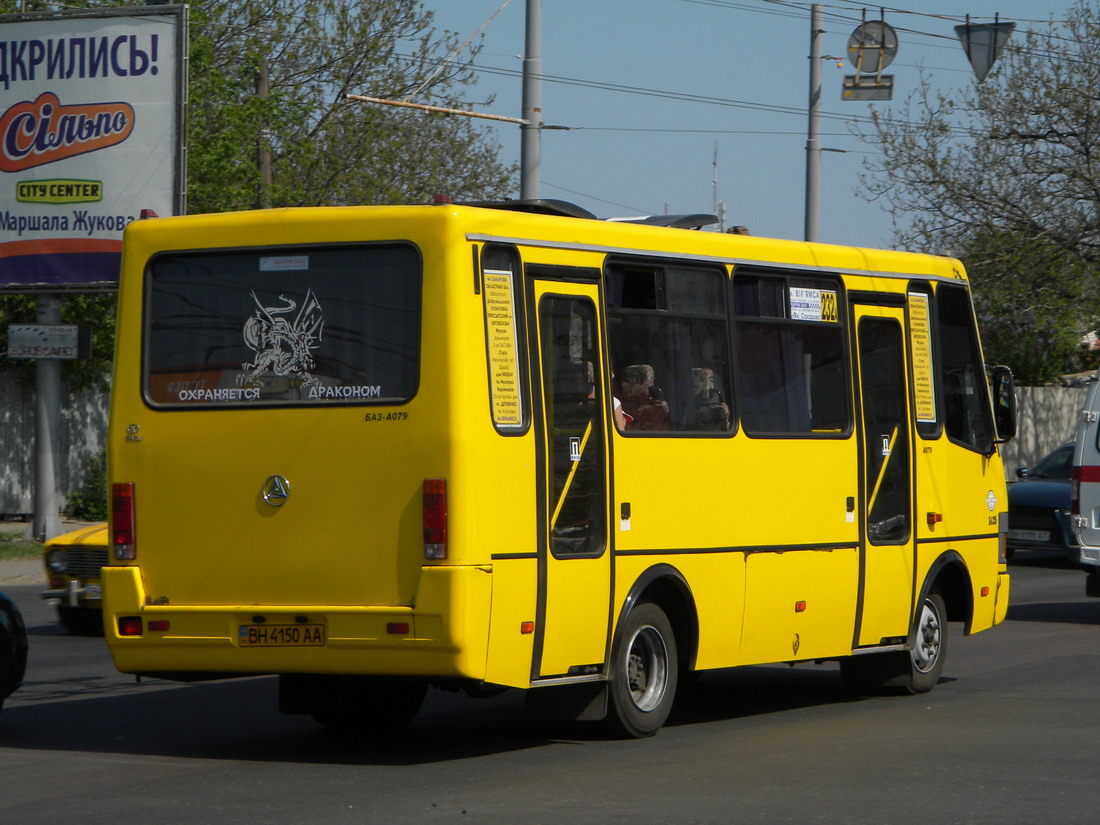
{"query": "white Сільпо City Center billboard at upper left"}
pixel 91 137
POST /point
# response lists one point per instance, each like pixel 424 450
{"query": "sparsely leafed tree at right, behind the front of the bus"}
pixel 1004 177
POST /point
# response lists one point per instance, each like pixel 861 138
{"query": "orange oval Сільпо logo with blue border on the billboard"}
pixel 45 131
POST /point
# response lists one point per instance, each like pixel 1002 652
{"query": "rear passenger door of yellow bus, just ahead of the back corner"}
pixel 575 558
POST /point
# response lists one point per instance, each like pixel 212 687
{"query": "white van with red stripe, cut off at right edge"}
pixel 1085 497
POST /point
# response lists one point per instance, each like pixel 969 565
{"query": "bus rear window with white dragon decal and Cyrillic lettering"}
pixel 283 327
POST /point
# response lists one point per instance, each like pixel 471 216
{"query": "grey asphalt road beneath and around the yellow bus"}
pixel 1010 735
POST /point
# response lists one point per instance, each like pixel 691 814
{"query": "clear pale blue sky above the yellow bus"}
pixel 654 92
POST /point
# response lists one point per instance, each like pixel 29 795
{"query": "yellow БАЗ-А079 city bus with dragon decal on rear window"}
pixel 378 449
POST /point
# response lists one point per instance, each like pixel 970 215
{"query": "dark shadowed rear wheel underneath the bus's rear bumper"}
pixel 368 706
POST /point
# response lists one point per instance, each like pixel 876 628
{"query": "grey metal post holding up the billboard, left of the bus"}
pixel 47 523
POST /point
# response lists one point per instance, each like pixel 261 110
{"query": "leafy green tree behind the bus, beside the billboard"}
pixel 326 150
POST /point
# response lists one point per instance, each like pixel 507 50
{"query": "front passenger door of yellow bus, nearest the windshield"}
pixel 887 569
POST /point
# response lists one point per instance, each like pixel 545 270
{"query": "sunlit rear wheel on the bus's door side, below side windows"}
pixel 644 674
